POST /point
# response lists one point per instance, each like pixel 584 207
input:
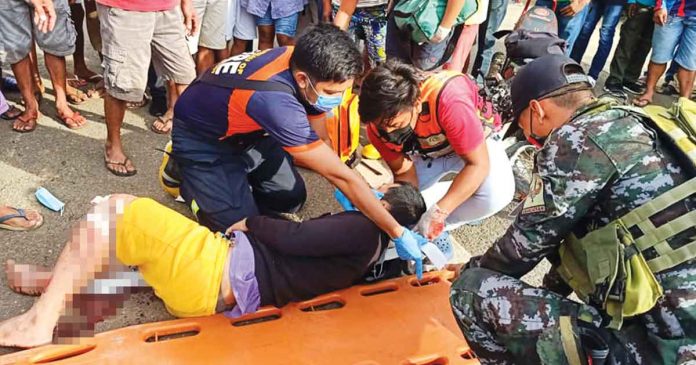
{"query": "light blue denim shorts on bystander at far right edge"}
pixel 675 40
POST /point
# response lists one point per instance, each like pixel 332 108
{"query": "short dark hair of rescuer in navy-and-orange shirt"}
pixel 327 53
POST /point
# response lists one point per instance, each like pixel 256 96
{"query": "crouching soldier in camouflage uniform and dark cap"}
pixel 596 163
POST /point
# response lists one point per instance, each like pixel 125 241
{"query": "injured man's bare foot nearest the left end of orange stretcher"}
pixel 25 331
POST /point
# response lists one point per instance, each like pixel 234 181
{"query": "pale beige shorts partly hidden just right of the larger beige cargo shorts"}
pixel 212 15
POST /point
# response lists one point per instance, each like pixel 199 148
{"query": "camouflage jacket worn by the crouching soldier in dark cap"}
pixel 592 170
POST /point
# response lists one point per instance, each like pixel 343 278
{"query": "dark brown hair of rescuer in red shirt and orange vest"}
pixel 387 90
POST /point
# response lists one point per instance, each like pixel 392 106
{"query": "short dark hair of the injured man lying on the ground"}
pixel 406 204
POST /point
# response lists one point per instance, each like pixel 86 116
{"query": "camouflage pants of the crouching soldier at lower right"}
pixel 507 321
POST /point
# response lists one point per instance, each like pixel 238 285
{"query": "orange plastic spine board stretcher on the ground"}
pixel 400 321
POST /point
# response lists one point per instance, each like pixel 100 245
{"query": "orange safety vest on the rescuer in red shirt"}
pixel 431 140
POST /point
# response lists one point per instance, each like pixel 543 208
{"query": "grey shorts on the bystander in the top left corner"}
pixel 17 27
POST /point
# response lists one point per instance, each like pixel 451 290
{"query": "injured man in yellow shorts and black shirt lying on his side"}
pixel 196 272
